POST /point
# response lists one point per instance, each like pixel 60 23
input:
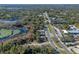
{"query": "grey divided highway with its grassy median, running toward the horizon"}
pixel 53 36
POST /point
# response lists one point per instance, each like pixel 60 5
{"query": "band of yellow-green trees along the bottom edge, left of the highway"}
pixel 12 48
